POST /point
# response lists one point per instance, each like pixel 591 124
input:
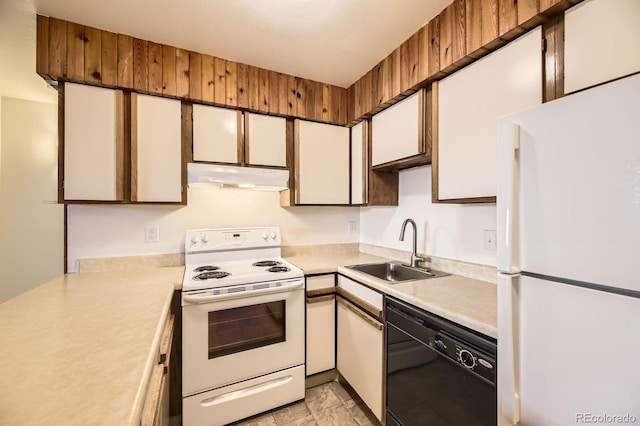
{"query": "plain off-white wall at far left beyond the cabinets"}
pixel 31 223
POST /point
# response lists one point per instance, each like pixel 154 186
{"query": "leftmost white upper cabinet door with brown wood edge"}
pixel 93 143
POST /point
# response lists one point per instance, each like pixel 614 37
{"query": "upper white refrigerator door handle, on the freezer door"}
pixel 507 255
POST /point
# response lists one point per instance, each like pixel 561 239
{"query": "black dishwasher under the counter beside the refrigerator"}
pixel 438 373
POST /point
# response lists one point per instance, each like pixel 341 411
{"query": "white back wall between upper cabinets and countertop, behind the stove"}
pixel 105 231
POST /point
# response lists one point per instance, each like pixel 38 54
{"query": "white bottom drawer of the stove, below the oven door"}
pixel 230 403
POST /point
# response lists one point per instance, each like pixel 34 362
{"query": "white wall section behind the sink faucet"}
pixel 444 230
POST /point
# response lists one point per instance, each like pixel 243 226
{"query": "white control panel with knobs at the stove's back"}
pixel 224 239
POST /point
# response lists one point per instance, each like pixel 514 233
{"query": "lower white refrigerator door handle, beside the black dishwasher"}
pixel 508 351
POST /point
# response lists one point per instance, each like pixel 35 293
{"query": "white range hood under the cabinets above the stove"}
pixel 201 175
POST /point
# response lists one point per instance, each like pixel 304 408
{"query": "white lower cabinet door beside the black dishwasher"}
pixel 360 349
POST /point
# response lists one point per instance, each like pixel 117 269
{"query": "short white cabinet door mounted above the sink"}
pixel 398 131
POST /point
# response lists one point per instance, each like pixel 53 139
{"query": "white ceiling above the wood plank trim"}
pixel 333 41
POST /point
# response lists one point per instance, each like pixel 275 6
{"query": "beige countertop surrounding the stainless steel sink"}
pixel 466 301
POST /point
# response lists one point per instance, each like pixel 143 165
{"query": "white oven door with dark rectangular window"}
pixel 231 337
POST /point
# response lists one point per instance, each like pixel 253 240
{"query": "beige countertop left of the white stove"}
pixel 79 349
